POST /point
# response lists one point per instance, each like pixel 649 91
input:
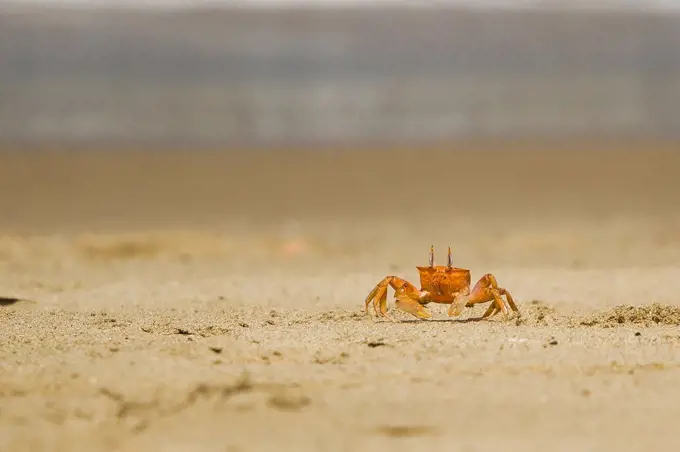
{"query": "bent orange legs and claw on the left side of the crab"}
pixel 407 295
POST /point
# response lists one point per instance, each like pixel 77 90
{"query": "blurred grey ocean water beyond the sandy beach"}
pixel 223 75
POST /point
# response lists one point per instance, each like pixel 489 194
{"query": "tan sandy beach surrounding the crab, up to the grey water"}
pixel 214 301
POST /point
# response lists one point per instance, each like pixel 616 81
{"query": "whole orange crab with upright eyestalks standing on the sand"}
pixel 441 284
